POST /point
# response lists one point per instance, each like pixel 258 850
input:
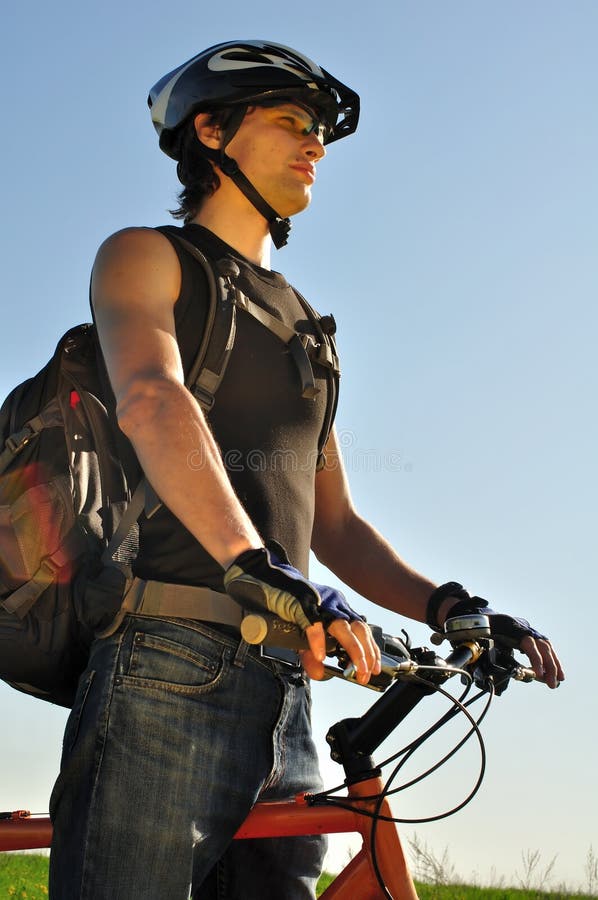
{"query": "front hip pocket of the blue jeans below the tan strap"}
pixel 160 663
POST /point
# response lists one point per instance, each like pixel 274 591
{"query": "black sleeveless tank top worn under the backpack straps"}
pixel 267 432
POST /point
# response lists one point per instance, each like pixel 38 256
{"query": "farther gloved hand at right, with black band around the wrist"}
pixel 452 600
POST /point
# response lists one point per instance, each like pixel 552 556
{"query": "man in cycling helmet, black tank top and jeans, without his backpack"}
pixel 178 726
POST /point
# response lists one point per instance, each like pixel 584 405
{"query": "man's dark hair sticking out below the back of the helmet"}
pixel 194 170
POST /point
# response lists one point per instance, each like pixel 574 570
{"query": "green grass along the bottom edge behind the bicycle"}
pixel 25 877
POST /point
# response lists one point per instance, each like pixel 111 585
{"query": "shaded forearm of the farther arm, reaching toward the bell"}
pixel 358 554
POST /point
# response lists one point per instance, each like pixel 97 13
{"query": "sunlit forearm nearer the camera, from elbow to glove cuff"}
pixel 182 462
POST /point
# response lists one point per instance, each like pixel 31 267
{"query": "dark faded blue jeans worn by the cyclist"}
pixel 176 731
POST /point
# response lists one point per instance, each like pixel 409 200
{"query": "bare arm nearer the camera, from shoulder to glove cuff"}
pixel 135 283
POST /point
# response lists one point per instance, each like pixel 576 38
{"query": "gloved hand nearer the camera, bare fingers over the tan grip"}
pixel 264 579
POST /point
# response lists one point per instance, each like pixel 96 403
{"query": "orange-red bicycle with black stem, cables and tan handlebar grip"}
pixel 379 871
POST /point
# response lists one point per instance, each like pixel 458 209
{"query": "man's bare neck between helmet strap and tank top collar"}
pixel 238 224
